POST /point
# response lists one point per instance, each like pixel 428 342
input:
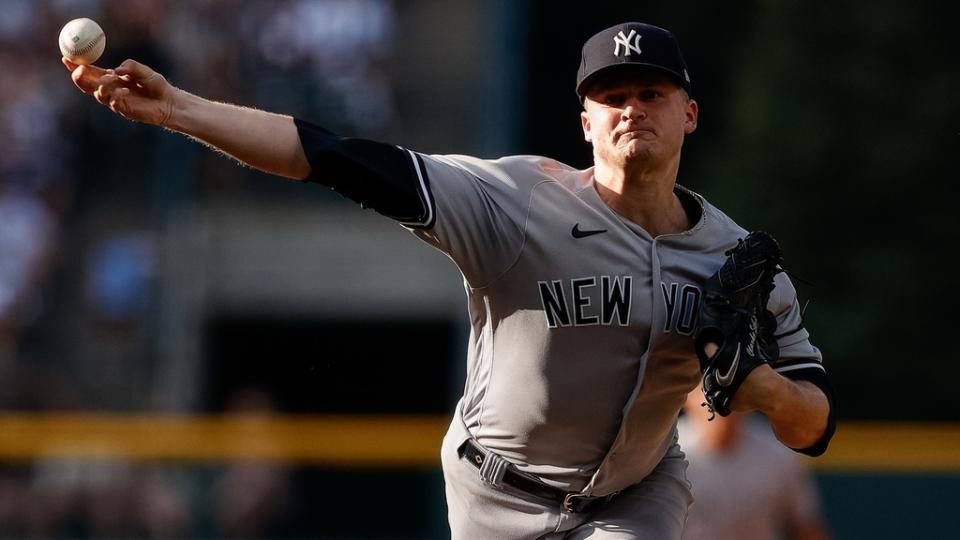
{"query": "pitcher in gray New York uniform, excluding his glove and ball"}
pixel 583 289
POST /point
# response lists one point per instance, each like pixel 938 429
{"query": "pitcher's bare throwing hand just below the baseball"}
pixel 131 90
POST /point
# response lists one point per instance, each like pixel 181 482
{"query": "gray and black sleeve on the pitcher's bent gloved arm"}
pixel 799 359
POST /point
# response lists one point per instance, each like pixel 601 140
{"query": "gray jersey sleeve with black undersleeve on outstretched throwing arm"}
pixel 471 209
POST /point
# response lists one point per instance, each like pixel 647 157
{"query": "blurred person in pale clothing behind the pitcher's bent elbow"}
pixel 746 485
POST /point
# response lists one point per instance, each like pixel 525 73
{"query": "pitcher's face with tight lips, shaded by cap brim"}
pixel 642 118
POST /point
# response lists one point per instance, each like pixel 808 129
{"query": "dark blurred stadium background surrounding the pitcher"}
pixel 189 349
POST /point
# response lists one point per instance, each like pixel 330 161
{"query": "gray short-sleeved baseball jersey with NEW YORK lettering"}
pixel 580 353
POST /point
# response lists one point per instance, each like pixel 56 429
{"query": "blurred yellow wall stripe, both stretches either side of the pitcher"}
pixel 384 441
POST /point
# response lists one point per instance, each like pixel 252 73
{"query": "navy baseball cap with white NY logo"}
pixel 631 44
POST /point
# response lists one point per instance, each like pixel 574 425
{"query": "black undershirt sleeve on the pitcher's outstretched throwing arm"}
pixel 375 175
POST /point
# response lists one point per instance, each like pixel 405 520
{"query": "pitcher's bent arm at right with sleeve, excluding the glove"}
pixel 793 391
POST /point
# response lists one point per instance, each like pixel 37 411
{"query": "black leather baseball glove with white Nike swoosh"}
pixel 734 316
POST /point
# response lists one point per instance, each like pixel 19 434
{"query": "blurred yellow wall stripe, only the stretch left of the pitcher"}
pixel 394 441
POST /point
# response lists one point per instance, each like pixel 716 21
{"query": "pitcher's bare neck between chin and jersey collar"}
pixel 643 196
